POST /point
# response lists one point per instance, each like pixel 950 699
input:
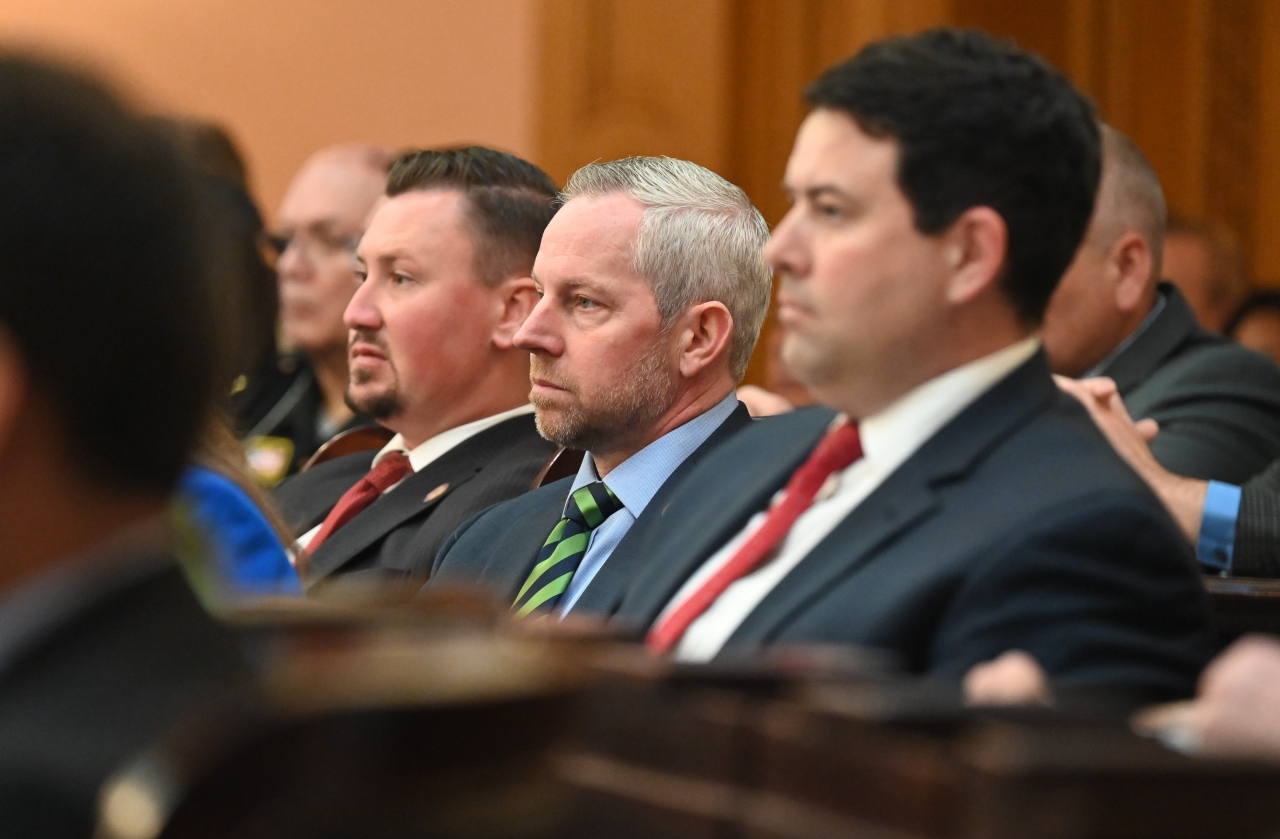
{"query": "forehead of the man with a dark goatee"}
pixel 420 224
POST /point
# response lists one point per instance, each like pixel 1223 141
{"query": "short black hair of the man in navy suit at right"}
pixel 979 122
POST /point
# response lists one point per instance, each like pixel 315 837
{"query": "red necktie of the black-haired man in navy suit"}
pixel 836 452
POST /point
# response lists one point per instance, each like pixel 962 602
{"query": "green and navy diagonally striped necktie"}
pixel 563 553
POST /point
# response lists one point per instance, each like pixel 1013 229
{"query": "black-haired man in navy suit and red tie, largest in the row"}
pixel 961 505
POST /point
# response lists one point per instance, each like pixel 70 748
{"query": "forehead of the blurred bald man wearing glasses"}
pixel 332 189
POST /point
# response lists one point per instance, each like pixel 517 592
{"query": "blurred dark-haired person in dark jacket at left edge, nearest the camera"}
pixel 107 358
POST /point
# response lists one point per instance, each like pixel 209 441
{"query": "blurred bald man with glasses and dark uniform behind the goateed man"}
pixel 291 409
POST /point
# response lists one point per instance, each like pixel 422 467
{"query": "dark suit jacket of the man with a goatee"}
pixel 401 534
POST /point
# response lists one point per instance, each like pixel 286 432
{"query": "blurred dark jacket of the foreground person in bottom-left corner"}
pixel 122 658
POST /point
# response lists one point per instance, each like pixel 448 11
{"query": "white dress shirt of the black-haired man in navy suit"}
pixel 889 439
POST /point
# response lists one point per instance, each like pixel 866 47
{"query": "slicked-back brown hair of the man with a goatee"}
pixel 509 202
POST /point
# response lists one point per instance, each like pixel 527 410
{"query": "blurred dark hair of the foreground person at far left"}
pixel 104 284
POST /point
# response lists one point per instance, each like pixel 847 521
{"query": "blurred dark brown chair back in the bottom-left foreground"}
pixel 388 731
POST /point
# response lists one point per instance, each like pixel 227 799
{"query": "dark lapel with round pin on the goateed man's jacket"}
pixel 417 496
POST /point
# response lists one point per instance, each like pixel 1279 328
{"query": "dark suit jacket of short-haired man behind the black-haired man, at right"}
pixel 1218 404
